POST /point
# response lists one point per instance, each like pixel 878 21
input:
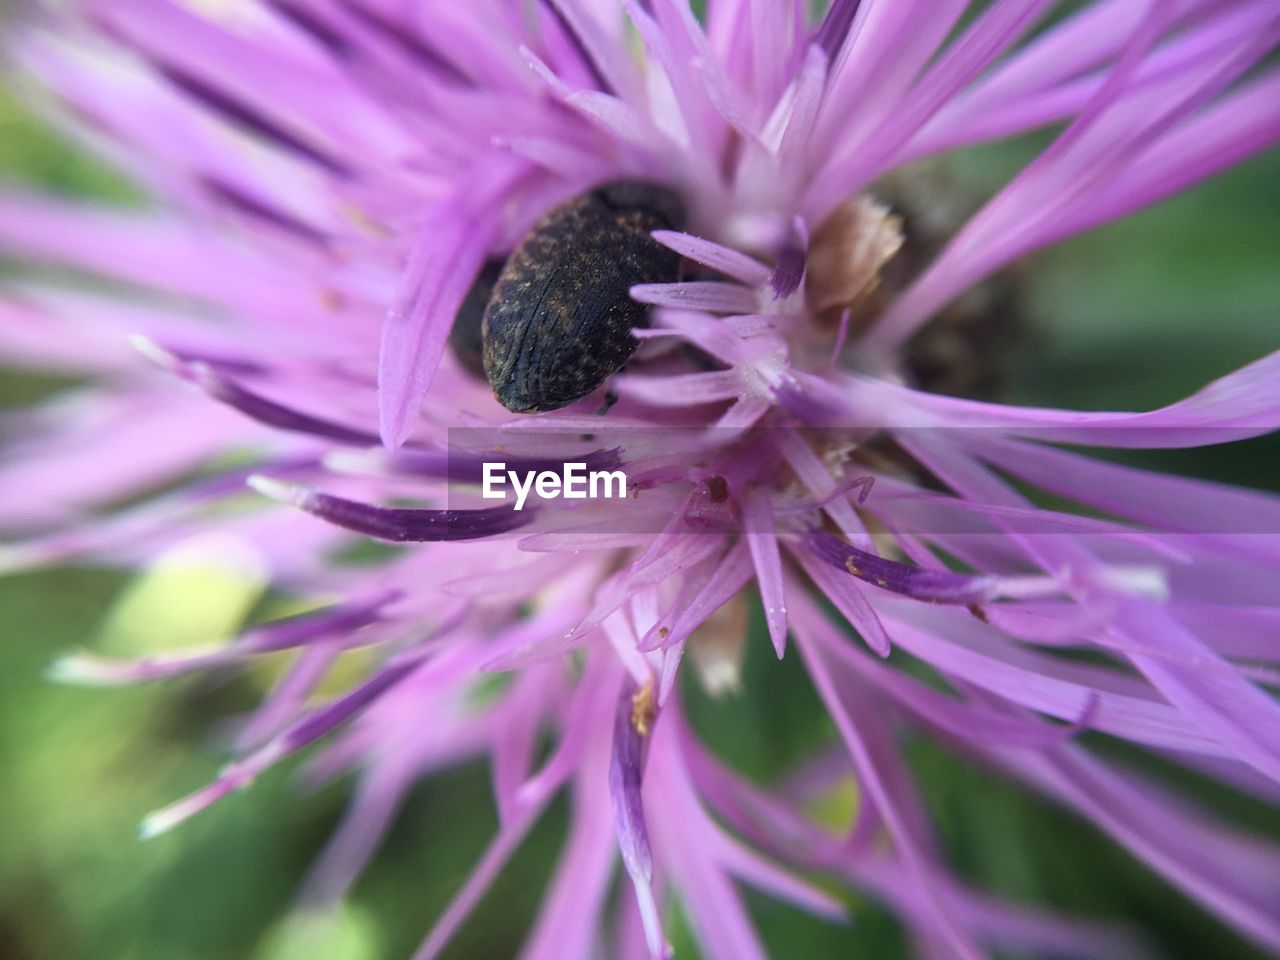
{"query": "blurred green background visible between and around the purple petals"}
pixel 1133 316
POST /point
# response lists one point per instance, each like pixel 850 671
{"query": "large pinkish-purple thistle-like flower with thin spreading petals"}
pixel 331 182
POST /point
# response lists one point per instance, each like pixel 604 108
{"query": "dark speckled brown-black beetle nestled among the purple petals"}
pixel 560 321
